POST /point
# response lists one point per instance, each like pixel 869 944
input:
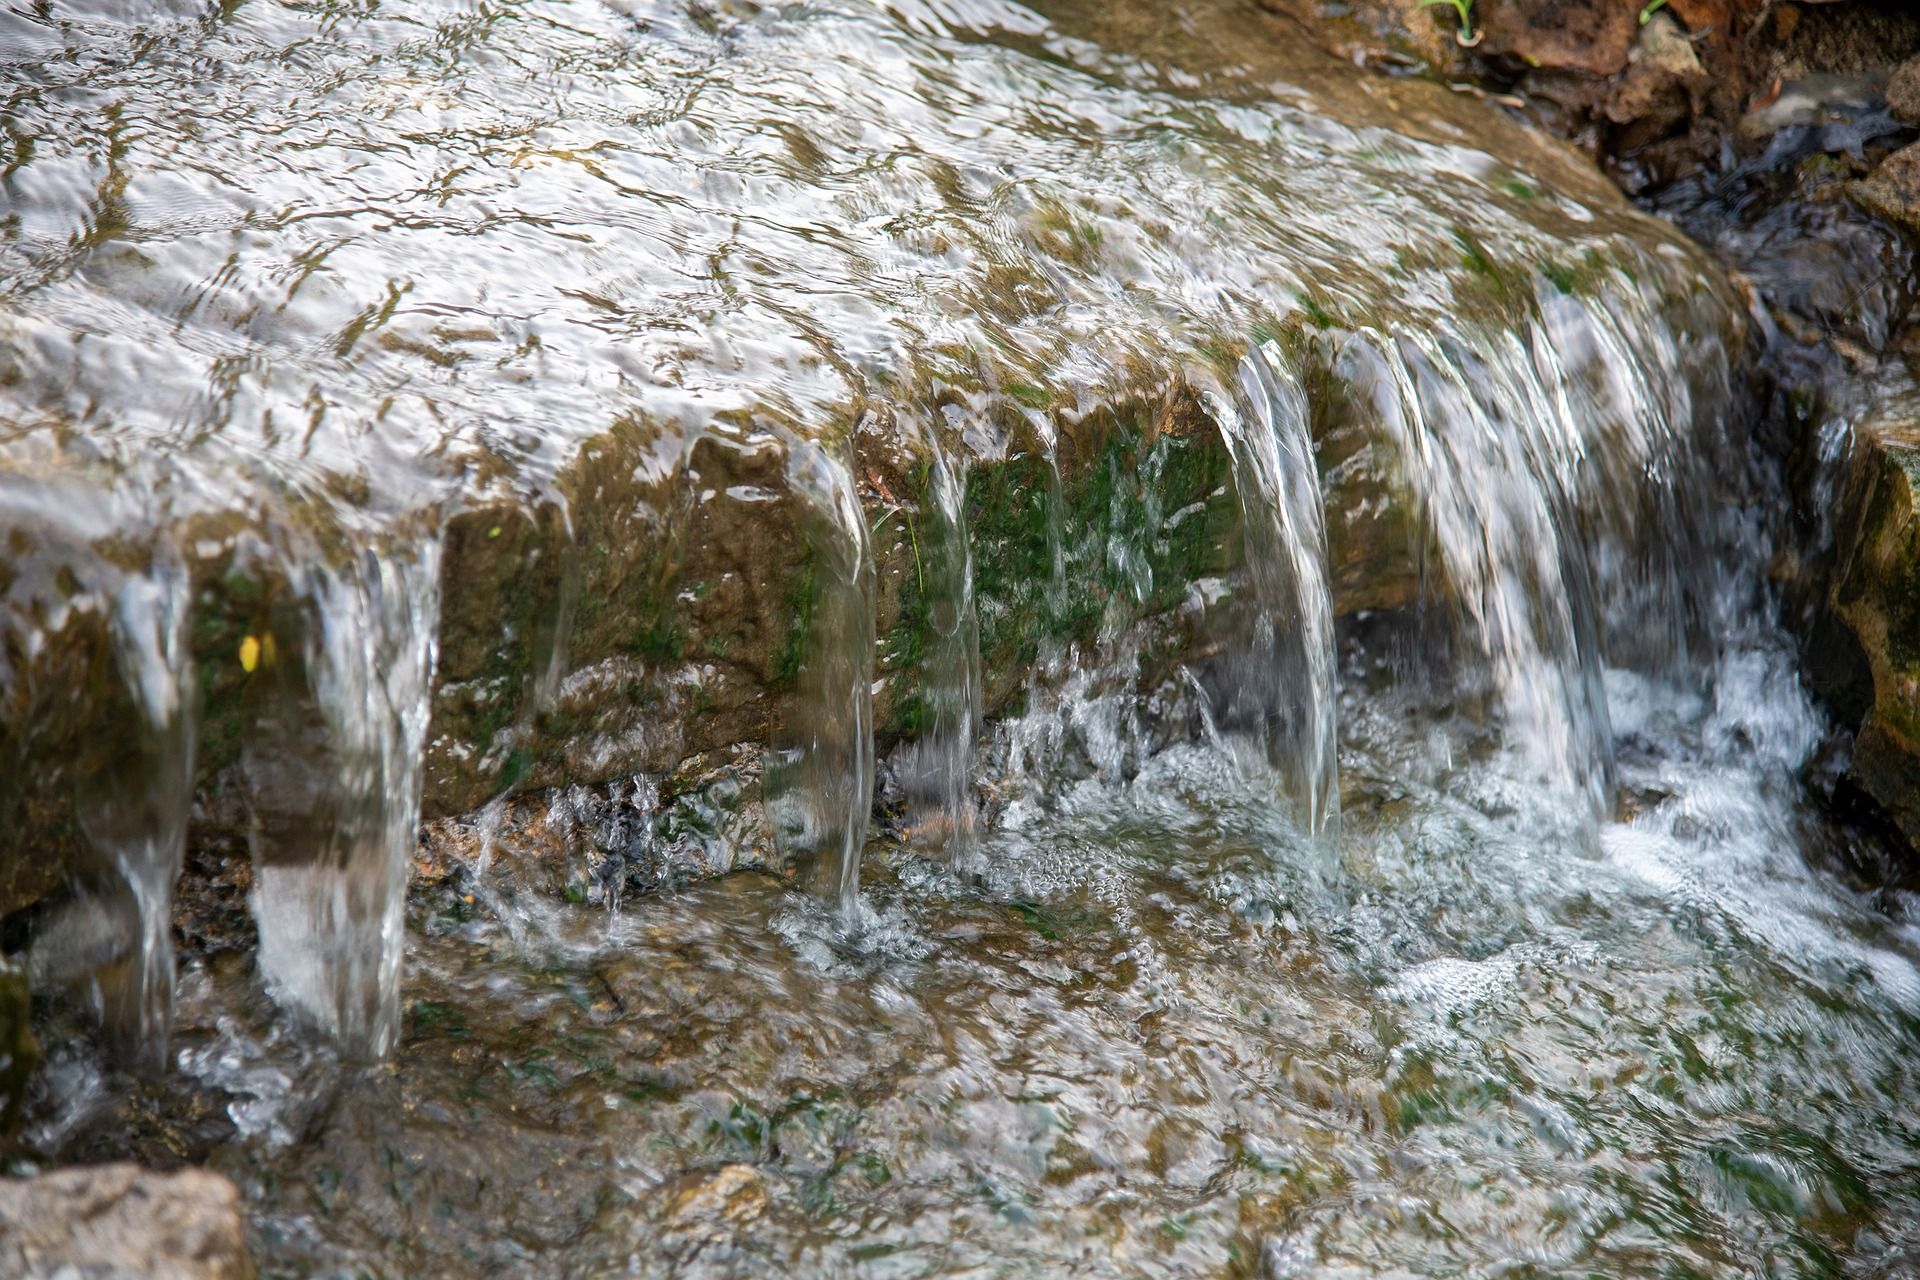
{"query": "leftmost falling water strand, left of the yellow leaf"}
pixel 137 817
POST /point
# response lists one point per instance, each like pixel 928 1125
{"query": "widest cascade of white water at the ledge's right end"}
pixel 1560 473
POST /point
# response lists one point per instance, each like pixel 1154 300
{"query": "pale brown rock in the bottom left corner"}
pixel 124 1223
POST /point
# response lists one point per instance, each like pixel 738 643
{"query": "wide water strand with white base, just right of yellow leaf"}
pixel 331 897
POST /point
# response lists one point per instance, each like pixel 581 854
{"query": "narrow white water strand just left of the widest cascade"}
pixel 1285 682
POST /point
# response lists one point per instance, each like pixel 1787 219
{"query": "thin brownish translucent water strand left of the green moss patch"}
pixel 821 784
